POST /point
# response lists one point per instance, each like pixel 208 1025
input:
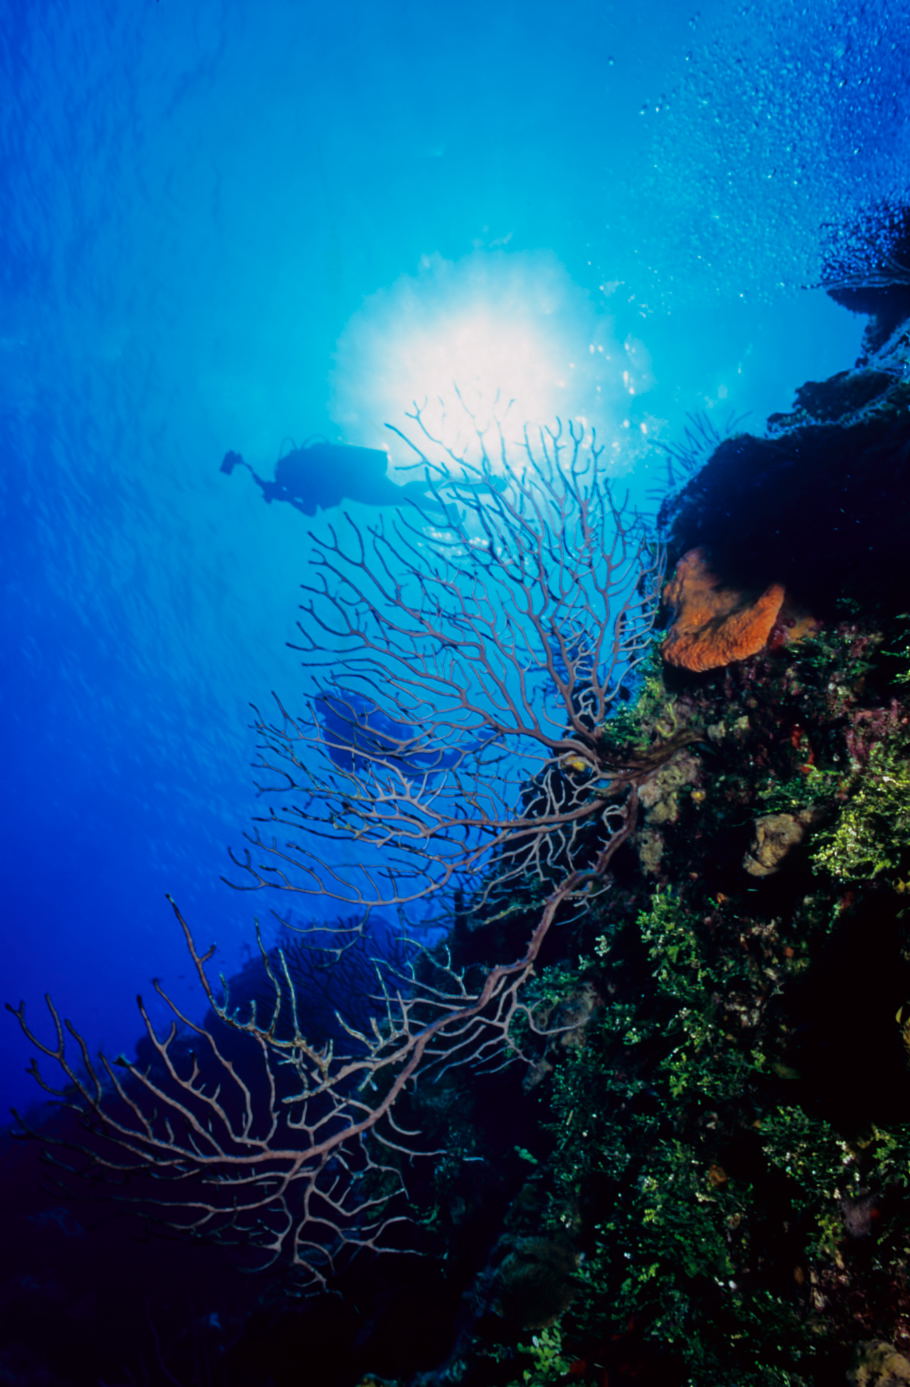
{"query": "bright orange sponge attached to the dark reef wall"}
pixel 715 626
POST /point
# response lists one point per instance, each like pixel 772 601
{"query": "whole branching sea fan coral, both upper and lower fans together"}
pixel 454 748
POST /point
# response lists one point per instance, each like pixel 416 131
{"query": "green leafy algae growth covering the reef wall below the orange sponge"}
pixel 730 1135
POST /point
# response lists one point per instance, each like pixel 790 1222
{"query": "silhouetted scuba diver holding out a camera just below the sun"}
pixel 323 475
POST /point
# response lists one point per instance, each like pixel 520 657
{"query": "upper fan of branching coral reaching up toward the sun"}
pixel 463 680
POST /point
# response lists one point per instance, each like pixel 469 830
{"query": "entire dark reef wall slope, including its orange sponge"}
pixel 716 1148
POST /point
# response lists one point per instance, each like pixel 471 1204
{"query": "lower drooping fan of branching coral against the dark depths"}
pixel 245 1131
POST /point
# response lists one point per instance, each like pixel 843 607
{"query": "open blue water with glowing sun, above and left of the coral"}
pixel 227 227
